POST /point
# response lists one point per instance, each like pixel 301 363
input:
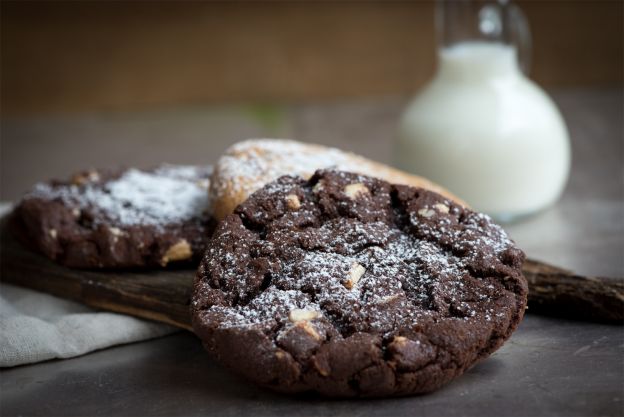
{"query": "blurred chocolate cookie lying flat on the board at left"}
pixel 124 219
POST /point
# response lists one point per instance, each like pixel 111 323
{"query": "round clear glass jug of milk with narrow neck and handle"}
pixel 481 128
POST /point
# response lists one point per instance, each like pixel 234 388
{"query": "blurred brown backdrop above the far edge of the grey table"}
pixel 81 56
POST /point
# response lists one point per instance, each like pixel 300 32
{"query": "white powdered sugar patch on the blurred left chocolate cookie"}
pixel 168 194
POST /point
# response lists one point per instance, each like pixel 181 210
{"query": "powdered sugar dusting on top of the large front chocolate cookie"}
pixel 427 268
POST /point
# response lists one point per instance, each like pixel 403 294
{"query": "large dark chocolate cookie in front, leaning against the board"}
pixel 350 286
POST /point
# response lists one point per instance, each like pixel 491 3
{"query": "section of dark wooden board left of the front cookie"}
pixel 157 295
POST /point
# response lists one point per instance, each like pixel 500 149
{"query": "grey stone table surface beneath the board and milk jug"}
pixel 548 367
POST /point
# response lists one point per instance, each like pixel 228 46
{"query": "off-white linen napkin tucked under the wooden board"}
pixel 35 326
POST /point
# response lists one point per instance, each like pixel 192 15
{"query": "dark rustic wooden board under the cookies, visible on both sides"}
pixel 164 295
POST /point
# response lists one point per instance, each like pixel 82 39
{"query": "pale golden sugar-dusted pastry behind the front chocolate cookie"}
pixel 247 166
